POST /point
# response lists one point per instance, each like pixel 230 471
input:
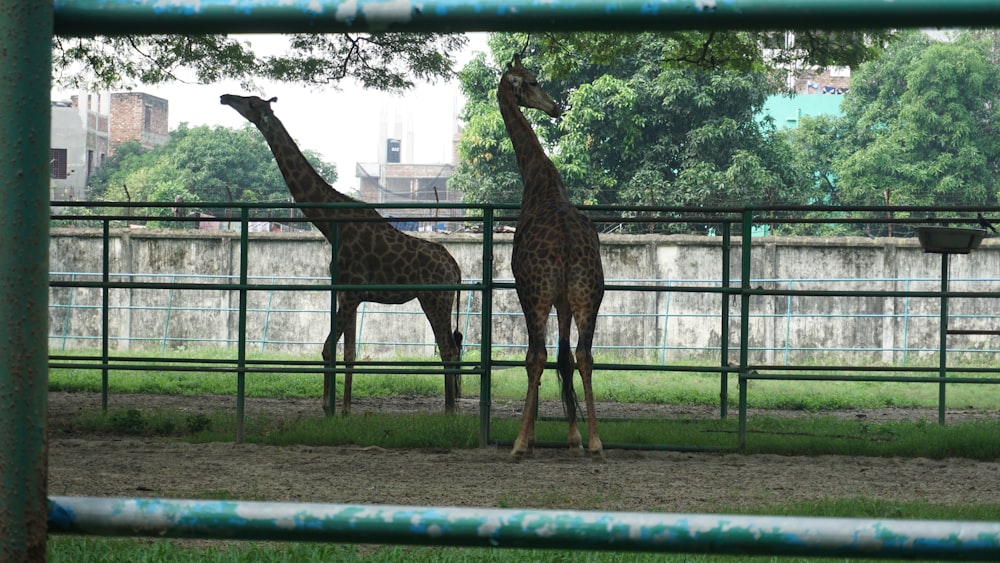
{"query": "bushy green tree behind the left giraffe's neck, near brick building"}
pixel 200 164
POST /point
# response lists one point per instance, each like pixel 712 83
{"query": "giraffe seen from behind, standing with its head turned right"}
pixel 556 262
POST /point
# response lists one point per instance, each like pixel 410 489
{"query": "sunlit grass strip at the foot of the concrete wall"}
pixel 655 387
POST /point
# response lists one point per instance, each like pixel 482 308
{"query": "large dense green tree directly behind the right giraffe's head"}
pixel 646 131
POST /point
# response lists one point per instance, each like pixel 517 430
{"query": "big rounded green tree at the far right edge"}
pixel 922 125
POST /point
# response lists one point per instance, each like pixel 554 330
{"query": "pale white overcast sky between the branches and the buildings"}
pixel 343 126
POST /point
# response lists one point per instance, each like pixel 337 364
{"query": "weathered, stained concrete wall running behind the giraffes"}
pixel 664 325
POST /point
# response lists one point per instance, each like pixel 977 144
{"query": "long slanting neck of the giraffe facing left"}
pixel 304 183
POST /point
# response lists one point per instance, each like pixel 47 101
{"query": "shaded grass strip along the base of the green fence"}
pixel 807 435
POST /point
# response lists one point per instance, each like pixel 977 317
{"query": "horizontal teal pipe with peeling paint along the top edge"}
pixel 87 17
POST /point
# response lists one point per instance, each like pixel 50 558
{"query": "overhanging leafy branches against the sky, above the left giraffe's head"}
pixel 381 61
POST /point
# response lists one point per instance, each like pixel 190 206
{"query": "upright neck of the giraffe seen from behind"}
pixel 538 173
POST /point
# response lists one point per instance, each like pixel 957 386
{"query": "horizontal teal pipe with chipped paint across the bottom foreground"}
pixel 510 528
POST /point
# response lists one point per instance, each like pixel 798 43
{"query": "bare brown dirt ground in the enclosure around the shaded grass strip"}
pixel 89 465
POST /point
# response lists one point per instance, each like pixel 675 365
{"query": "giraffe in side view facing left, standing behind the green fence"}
pixel 370 251
